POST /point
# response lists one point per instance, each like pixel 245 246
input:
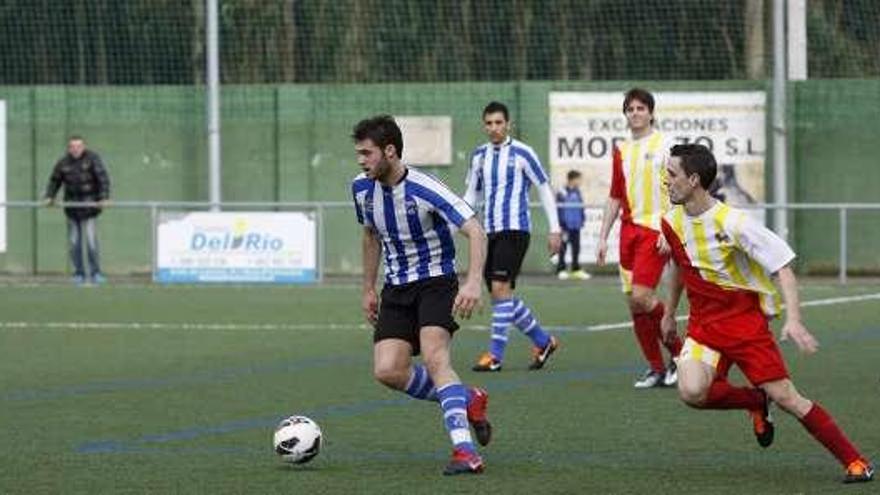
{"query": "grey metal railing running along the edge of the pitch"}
pixel 319 207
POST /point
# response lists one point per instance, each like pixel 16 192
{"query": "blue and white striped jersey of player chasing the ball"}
pixel 415 220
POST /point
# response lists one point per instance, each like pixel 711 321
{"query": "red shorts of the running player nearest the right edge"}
pixel 744 340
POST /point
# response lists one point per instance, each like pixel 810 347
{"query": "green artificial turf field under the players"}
pixel 147 389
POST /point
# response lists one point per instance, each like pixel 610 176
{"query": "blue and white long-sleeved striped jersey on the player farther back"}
pixel 502 175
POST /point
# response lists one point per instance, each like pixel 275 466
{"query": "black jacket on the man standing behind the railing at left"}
pixel 84 179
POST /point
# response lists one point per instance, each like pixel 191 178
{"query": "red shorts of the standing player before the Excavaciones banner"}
pixel 640 262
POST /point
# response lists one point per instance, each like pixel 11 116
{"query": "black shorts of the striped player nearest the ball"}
pixel 407 308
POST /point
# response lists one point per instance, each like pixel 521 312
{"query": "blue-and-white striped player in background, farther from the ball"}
pixel 500 176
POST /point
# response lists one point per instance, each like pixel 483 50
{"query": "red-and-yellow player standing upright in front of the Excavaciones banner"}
pixel 638 196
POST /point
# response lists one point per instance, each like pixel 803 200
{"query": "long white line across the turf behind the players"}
pixel 70 325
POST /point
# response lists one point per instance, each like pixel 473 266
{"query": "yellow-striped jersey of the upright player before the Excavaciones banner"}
pixel 638 179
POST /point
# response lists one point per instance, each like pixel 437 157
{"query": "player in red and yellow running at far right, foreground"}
pixel 726 261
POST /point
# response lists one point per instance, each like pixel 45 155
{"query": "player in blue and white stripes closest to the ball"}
pixel 411 216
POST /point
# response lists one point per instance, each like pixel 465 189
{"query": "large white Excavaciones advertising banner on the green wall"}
pixel 584 127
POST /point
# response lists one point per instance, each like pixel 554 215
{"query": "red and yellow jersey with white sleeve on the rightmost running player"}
pixel 726 258
